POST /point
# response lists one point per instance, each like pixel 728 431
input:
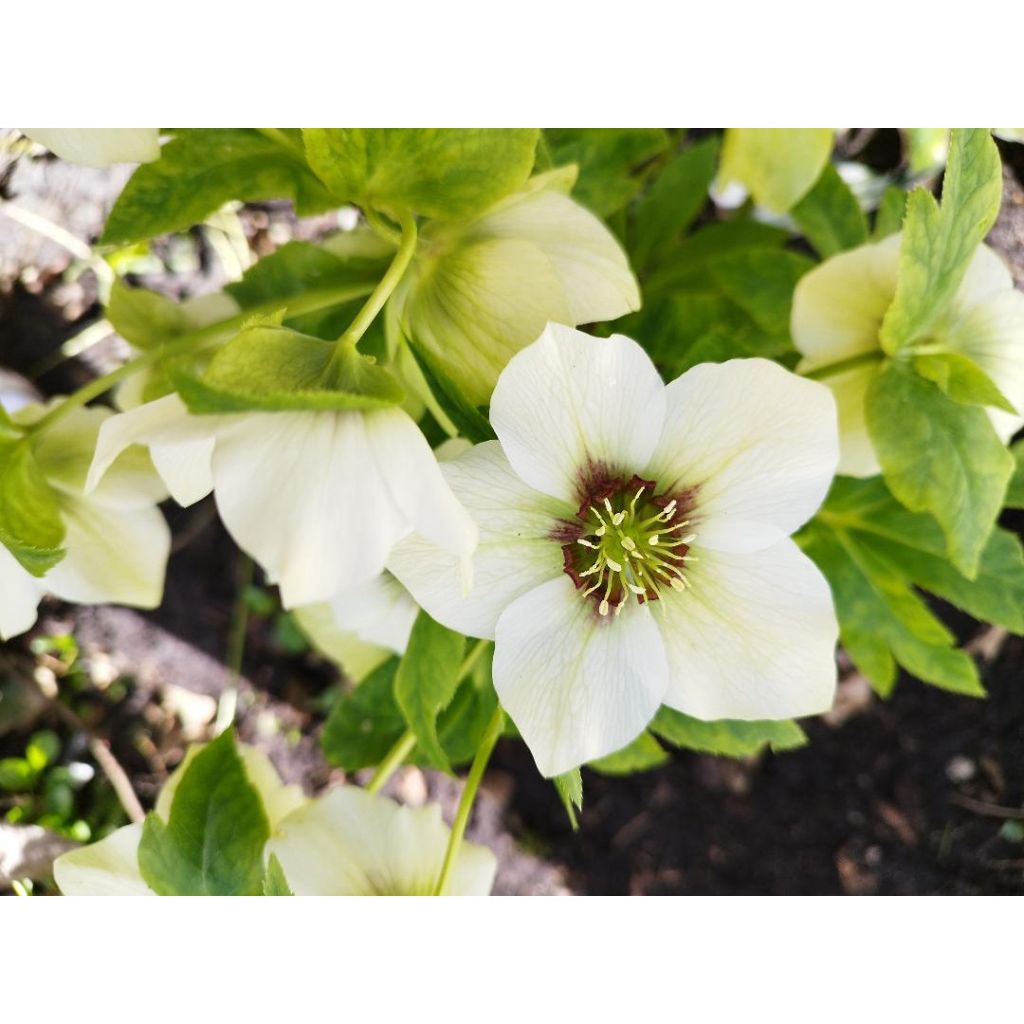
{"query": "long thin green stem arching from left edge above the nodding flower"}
pixel 309 303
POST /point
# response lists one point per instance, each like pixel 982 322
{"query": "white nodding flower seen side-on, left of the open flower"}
pixel 319 499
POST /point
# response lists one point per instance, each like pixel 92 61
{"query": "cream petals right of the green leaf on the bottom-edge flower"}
pixel 354 843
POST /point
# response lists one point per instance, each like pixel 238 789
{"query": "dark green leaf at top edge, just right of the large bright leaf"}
pixel 610 160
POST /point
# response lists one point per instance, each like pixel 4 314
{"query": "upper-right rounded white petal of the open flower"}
pixel 757 447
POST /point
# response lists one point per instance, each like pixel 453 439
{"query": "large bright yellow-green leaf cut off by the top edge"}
pixel 440 173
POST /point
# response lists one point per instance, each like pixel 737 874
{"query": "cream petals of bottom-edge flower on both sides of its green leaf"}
pixel 347 843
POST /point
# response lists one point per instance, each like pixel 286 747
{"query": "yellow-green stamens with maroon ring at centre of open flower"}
pixel 630 544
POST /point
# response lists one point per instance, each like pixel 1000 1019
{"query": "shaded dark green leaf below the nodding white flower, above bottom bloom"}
pixel 365 724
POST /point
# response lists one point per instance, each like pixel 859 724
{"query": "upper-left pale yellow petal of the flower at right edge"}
pixel 838 309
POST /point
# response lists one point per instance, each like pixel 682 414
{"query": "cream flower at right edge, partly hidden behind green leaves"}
pixel 838 310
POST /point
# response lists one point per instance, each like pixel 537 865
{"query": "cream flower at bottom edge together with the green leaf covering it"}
pixel 200 842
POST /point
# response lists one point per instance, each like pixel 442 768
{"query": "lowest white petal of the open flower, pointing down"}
pixel 578 686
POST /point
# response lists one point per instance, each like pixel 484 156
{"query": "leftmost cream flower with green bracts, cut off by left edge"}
pixel 114 542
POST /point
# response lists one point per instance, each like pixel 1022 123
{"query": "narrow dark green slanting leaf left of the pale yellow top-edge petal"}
pixel 675 198
